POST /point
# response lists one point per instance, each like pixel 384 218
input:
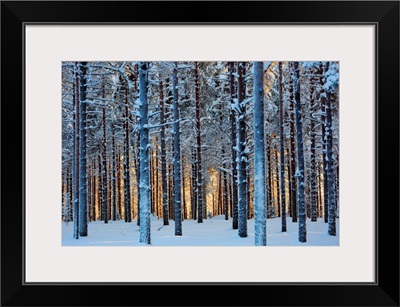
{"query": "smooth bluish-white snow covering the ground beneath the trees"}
pixel 215 231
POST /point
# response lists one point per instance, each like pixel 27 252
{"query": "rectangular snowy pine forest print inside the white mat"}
pixel 200 153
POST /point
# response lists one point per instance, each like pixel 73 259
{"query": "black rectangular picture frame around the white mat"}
pixel 383 14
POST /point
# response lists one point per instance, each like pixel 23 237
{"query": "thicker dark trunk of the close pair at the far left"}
pixel 83 220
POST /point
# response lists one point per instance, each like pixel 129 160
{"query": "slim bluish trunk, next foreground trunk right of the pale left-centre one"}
pixel 177 155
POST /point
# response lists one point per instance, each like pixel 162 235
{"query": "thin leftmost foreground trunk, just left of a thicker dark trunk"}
pixel 76 160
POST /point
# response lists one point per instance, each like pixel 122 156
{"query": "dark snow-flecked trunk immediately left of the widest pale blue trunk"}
pixel 242 174
